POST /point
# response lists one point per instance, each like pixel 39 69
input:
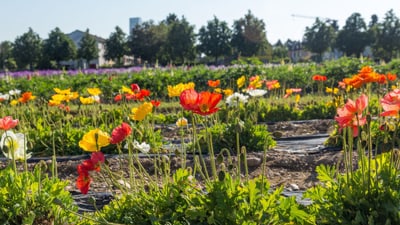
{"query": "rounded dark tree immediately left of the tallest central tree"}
pixel 215 39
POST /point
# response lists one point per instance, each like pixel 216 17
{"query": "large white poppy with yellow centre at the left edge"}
pixel 12 143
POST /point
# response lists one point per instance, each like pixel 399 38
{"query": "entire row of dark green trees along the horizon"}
pixel 174 41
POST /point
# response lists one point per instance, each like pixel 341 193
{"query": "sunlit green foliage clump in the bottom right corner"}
pixel 343 200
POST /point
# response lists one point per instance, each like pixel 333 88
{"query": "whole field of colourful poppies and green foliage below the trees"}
pixel 219 115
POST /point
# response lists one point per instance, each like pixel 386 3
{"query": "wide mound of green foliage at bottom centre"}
pixel 224 201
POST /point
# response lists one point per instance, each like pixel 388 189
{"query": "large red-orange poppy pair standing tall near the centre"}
pixel 203 103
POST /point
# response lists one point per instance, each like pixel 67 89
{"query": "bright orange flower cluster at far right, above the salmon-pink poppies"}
pixel 368 75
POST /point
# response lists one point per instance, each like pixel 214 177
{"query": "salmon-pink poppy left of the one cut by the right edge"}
pixel 350 115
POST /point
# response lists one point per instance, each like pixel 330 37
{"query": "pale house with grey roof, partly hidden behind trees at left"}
pixel 76 37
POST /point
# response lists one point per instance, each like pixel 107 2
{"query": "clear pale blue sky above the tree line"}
pixel 102 16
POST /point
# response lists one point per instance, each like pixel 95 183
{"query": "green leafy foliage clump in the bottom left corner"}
pixel 30 198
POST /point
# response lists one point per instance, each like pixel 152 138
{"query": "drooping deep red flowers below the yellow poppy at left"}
pixel 84 179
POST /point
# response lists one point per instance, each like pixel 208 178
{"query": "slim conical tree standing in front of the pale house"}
pixel 88 47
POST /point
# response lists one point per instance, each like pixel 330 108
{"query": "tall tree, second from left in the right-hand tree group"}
pixel 354 37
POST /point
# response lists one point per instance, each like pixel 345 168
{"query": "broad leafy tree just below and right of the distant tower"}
pixel 147 40
